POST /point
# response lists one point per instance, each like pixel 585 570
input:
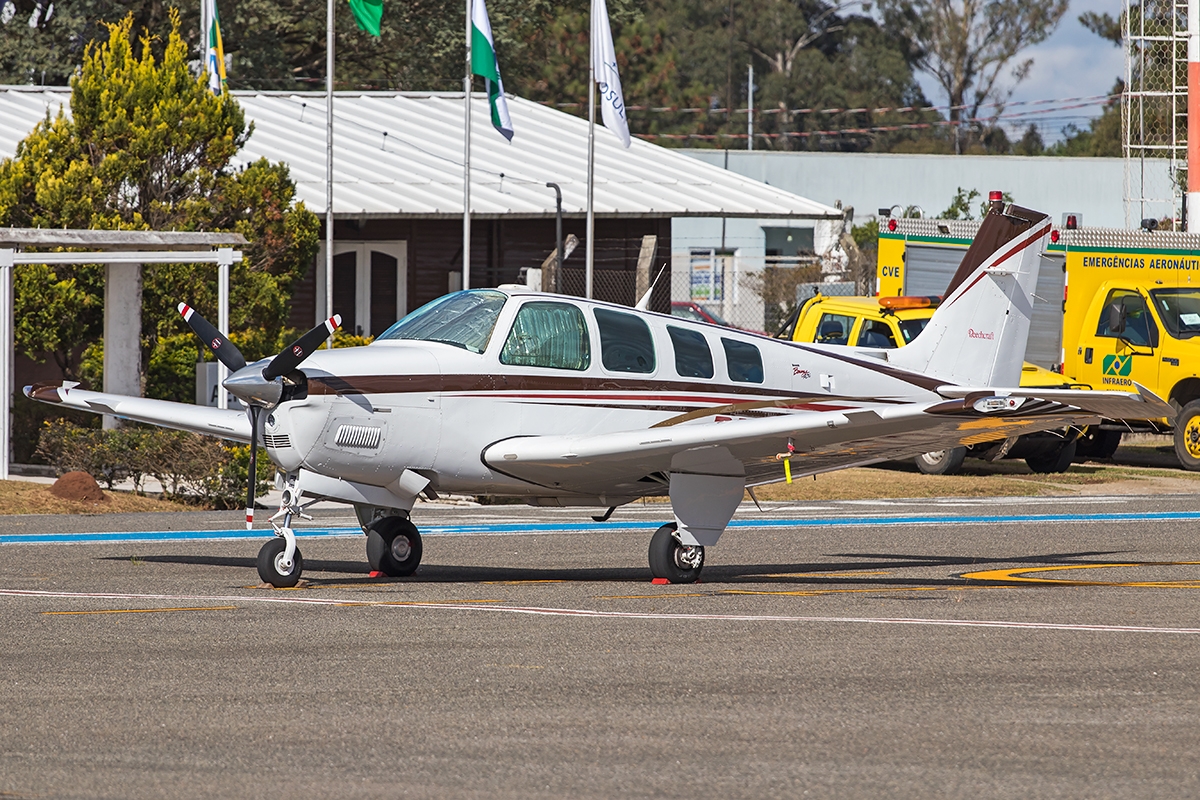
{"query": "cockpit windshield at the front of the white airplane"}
pixel 464 320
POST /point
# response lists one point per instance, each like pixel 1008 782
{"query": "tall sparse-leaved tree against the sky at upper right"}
pixel 968 45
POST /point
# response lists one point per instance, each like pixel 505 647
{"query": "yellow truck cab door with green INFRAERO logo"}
pixel 1120 344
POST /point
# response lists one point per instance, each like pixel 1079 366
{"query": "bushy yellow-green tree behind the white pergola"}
pixel 148 148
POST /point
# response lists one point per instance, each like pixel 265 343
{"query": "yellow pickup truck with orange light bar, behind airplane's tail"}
pixel 896 322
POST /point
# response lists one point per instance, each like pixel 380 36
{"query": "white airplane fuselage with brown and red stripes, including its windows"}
pixel 434 407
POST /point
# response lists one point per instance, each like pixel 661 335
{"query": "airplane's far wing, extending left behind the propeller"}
pixel 226 424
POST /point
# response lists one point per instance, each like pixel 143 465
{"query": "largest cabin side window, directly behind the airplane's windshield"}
pixel 548 335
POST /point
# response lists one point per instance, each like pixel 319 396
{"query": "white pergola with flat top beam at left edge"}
pixel 123 254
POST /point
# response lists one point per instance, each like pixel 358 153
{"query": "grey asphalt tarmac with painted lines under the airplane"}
pixel 1043 648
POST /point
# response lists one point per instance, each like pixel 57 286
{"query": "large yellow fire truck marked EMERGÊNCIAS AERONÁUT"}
pixel 1113 309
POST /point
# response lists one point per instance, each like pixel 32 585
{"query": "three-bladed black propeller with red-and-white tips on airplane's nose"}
pixel 257 389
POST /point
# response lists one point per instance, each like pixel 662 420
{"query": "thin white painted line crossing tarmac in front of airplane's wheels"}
pixel 292 599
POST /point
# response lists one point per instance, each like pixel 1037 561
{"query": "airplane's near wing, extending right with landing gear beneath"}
pixel 639 462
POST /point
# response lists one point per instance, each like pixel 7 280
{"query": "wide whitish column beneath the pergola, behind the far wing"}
pixel 123 332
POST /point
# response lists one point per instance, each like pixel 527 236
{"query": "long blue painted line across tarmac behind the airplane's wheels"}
pixel 609 527
